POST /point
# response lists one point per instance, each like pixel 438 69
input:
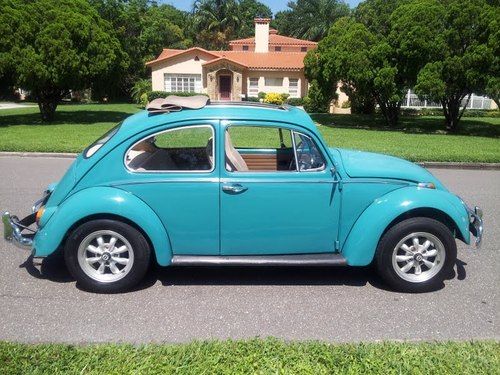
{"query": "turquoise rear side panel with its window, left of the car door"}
pixel 173 171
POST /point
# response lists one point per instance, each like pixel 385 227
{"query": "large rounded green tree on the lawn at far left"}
pixel 54 46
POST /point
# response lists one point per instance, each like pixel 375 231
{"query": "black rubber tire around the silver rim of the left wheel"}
pixel 133 275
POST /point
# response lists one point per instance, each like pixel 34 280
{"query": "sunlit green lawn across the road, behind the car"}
pixel 417 138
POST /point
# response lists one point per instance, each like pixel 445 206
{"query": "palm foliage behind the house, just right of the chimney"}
pixel 310 19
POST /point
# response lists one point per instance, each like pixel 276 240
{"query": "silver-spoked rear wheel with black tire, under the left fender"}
pixel 107 256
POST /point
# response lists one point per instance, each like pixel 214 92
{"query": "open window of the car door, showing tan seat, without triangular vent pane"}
pixel 259 149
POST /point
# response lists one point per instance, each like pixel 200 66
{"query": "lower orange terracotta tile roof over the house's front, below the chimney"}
pixel 250 60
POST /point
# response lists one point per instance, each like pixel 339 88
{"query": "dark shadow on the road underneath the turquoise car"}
pixel 53 268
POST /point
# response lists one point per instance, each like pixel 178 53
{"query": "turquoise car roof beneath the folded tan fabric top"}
pixel 145 120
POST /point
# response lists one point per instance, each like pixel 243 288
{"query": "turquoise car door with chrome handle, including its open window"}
pixel 292 208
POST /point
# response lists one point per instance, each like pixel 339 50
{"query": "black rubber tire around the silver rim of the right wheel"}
pixel 392 238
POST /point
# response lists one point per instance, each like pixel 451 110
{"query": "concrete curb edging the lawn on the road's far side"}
pixel 425 164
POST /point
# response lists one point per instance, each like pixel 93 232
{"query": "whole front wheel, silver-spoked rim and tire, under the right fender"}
pixel 416 255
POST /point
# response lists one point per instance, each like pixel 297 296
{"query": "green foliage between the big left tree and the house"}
pixel 143 29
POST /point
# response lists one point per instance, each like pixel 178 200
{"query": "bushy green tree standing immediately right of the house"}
pixel 364 61
